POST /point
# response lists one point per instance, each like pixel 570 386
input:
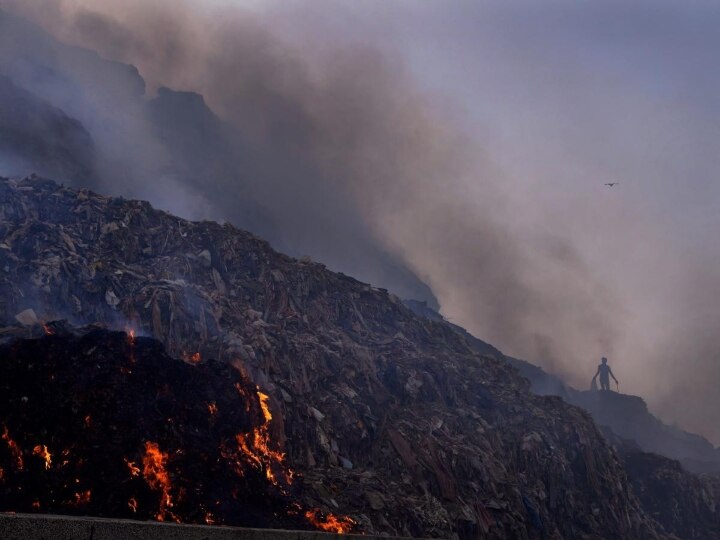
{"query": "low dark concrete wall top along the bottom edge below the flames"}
pixel 51 527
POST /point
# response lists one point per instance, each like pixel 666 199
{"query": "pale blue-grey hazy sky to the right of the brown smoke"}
pixel 578 94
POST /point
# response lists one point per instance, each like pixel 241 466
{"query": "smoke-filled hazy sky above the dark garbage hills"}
pixel 489 185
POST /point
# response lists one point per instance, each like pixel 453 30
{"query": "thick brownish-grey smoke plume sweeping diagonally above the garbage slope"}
pixel 330 147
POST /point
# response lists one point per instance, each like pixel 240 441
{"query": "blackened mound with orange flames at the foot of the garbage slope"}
pixel 106 424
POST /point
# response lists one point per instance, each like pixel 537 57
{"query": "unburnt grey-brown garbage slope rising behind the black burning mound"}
pixel 391 418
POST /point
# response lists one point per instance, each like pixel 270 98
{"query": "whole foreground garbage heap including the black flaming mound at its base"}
pixel 388 417
